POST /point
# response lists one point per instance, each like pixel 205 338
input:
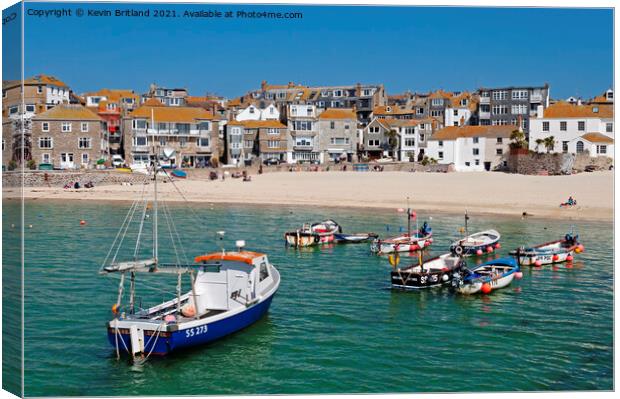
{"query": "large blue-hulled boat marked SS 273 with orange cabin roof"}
pixel 226 291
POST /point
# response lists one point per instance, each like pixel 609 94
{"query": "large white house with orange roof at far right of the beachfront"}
pixel 575 129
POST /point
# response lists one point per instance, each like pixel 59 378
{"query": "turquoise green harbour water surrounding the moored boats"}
pixel 334 326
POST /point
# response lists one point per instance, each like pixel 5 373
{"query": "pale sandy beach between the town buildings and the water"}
pixel 480 192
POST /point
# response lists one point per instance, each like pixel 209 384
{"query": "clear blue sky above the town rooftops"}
pixel 406 48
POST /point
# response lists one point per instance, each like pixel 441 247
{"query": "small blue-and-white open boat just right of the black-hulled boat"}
pixel 487 277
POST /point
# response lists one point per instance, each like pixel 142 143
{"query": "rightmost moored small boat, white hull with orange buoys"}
pixel 550 252
